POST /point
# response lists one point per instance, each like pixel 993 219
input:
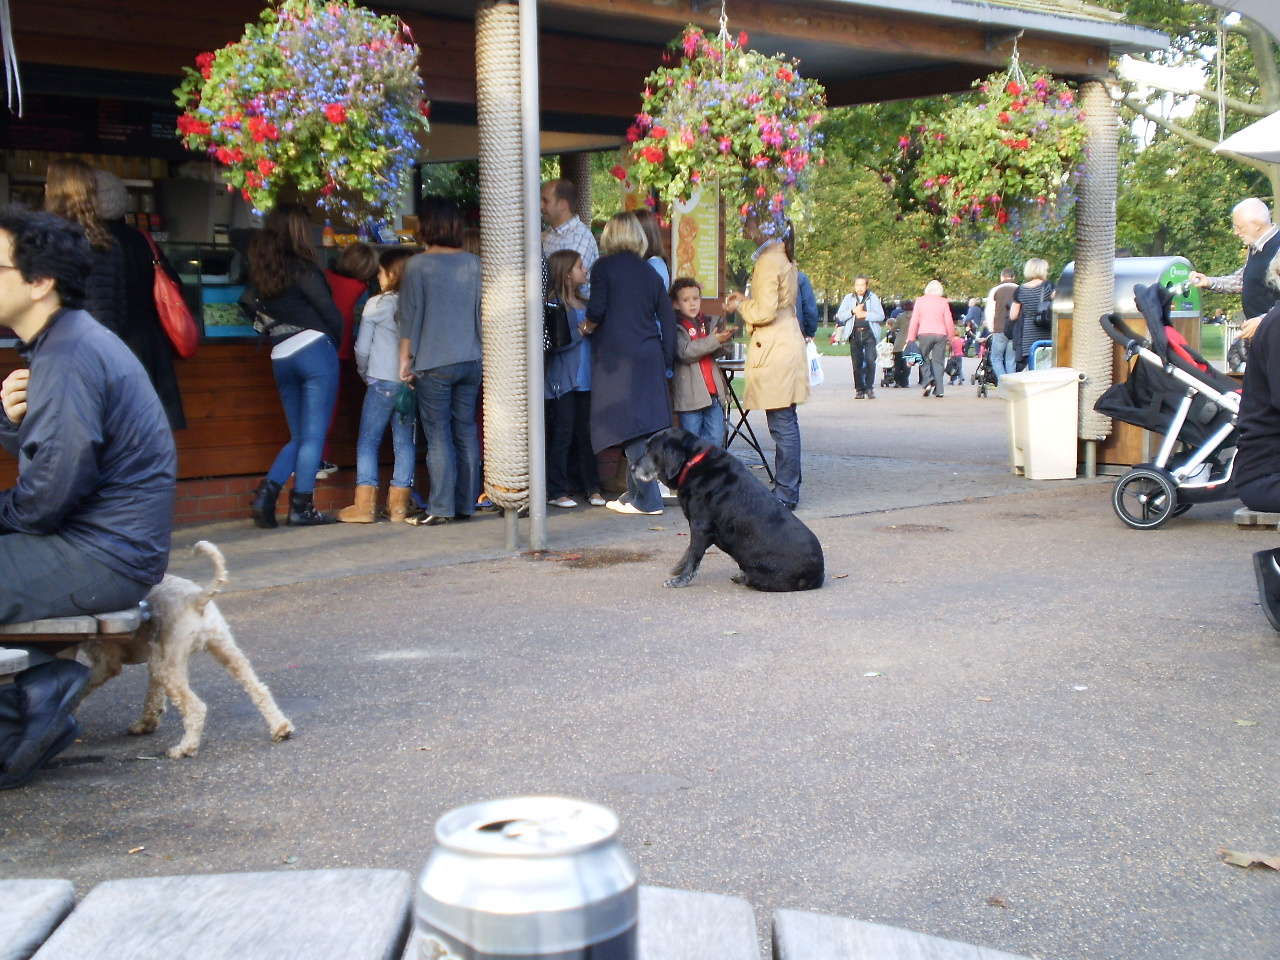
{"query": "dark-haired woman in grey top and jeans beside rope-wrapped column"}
pixel 440 323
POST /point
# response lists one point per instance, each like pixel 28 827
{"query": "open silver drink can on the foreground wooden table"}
pixel 528 879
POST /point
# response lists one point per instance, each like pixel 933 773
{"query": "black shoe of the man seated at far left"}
pixel 48 696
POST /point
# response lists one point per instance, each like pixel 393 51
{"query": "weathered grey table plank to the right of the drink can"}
pixel 807 936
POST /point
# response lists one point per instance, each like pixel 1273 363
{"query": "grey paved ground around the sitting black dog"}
pixel 1007 719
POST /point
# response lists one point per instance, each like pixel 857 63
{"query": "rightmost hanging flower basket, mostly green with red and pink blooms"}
pixel 1017 144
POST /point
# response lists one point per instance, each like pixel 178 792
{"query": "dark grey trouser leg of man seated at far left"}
pixel 48 577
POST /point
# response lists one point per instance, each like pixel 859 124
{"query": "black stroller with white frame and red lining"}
pixel 1174 392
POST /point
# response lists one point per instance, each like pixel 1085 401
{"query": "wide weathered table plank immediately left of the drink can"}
pixel 314 915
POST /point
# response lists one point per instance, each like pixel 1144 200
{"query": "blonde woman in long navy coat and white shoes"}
pixel 633 332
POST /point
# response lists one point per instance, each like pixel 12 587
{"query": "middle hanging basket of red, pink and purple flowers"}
pixel 730 113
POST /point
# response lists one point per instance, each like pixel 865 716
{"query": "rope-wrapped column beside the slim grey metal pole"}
pixel 502 253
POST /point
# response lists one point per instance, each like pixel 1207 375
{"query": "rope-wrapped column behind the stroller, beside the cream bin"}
pixel 1095 257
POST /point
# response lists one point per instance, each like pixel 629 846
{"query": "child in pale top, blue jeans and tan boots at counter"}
pixel 378 363
